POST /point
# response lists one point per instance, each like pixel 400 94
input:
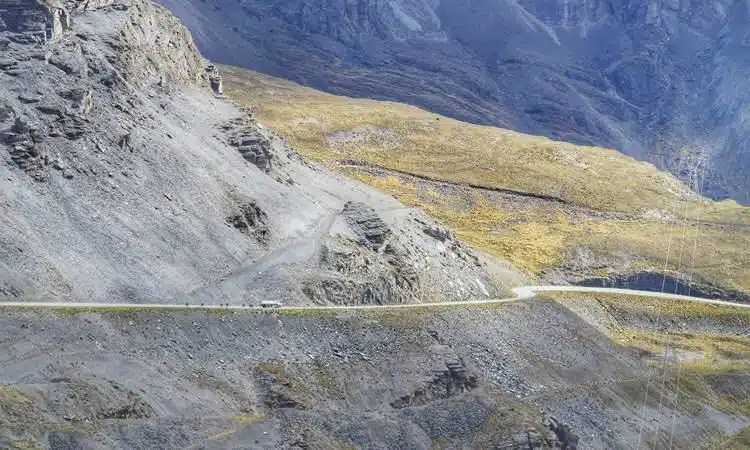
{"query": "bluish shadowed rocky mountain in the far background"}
pixel 660 80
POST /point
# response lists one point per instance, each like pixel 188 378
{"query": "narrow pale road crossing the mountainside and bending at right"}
pixel 521 292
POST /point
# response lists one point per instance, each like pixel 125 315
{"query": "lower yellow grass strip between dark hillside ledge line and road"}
pixel 536 238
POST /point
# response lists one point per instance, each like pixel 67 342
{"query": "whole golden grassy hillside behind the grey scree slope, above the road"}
pixel 538 203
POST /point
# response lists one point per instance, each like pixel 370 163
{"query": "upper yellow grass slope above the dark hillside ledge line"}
pixel 424 143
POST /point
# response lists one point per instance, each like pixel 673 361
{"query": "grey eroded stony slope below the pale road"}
pixel 499 376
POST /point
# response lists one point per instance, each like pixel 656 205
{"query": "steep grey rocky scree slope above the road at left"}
pixel 125 177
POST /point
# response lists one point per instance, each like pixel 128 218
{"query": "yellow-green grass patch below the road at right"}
pixel 705 358
